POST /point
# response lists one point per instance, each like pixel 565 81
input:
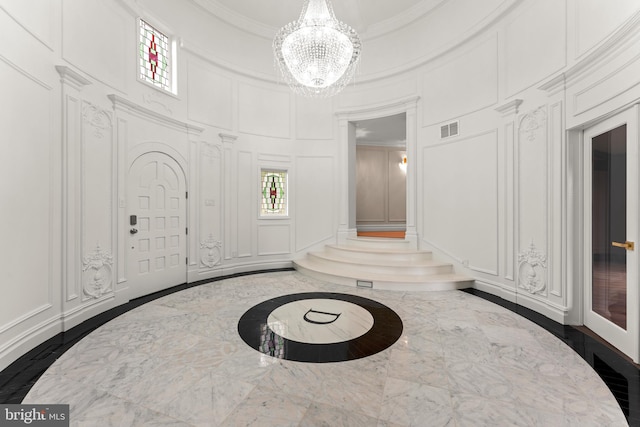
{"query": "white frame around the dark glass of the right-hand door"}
pixel 628 343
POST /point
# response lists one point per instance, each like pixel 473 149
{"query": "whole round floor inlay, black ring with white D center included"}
pixel 320 327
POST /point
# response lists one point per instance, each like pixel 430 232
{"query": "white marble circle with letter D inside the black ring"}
pixel 320 321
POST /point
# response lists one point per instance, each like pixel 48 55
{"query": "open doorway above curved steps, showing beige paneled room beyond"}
pixel 381 176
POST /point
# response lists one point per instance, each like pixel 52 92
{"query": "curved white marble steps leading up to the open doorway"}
pixel 381 263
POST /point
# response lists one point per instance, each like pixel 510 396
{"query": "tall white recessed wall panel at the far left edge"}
pixel 25 186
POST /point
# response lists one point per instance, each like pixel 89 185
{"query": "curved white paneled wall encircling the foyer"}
pixel 79 117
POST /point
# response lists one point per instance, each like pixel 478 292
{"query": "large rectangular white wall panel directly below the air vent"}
pixel 461 200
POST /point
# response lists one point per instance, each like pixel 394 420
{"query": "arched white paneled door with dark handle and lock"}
pixel 157 233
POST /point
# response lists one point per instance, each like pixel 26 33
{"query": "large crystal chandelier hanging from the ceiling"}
pixel 317 54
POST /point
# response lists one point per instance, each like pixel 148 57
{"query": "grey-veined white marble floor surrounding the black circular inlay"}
pixel 460 361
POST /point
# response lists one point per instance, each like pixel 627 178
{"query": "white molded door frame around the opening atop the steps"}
pixel 347 159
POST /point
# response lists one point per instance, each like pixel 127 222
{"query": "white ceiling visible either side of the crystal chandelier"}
pixel 262 16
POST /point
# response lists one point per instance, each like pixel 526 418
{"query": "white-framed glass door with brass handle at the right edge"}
pixel 611 232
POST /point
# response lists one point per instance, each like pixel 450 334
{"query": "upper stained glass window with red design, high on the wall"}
pixel 154 57
